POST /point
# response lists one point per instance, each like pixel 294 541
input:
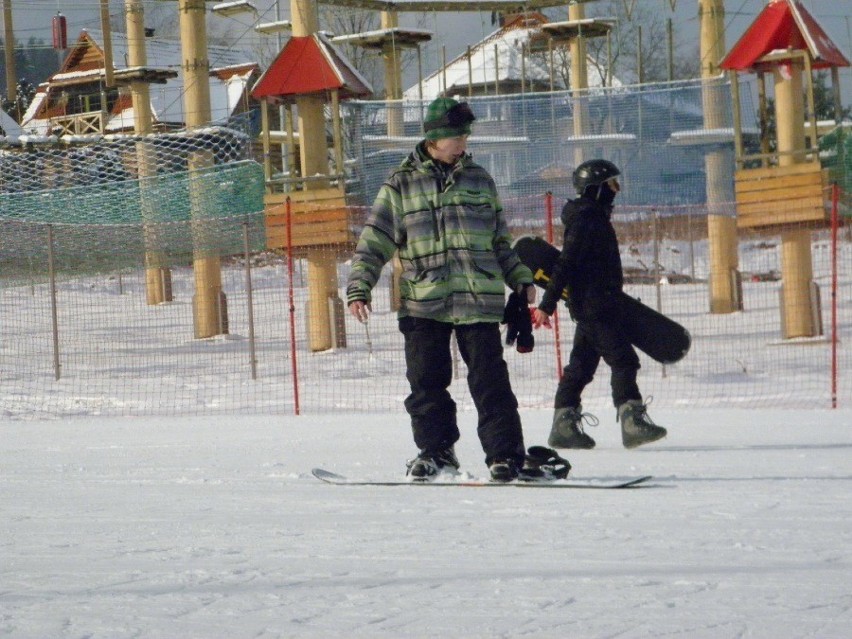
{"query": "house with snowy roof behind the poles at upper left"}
pixel 76 101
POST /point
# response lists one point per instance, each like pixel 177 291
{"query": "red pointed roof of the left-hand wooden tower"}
pixel 310 64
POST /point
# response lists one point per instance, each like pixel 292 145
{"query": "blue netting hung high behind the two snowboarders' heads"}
pixel 530 143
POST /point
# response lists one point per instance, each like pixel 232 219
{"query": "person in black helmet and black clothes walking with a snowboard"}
pixel 590 266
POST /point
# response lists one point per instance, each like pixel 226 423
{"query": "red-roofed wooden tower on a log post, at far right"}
pixel 787 192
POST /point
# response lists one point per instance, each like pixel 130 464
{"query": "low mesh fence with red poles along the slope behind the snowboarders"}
pixel 93 345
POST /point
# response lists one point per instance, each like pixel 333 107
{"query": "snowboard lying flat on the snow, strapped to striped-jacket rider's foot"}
pixel 467 482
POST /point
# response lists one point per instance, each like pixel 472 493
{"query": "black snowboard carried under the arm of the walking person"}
pixel 658 336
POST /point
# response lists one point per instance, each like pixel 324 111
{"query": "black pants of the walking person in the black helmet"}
pixel 595 339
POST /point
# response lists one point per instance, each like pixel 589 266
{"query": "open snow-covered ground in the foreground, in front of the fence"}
pixel 213 527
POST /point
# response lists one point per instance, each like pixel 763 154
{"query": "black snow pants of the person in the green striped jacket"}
pixel 429 372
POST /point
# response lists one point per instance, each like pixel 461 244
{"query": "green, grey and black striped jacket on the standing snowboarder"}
pixel 453 242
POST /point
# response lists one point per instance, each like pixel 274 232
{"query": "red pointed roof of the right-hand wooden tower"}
pixel 782 25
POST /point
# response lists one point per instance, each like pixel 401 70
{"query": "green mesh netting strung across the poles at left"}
pixel 167 220
